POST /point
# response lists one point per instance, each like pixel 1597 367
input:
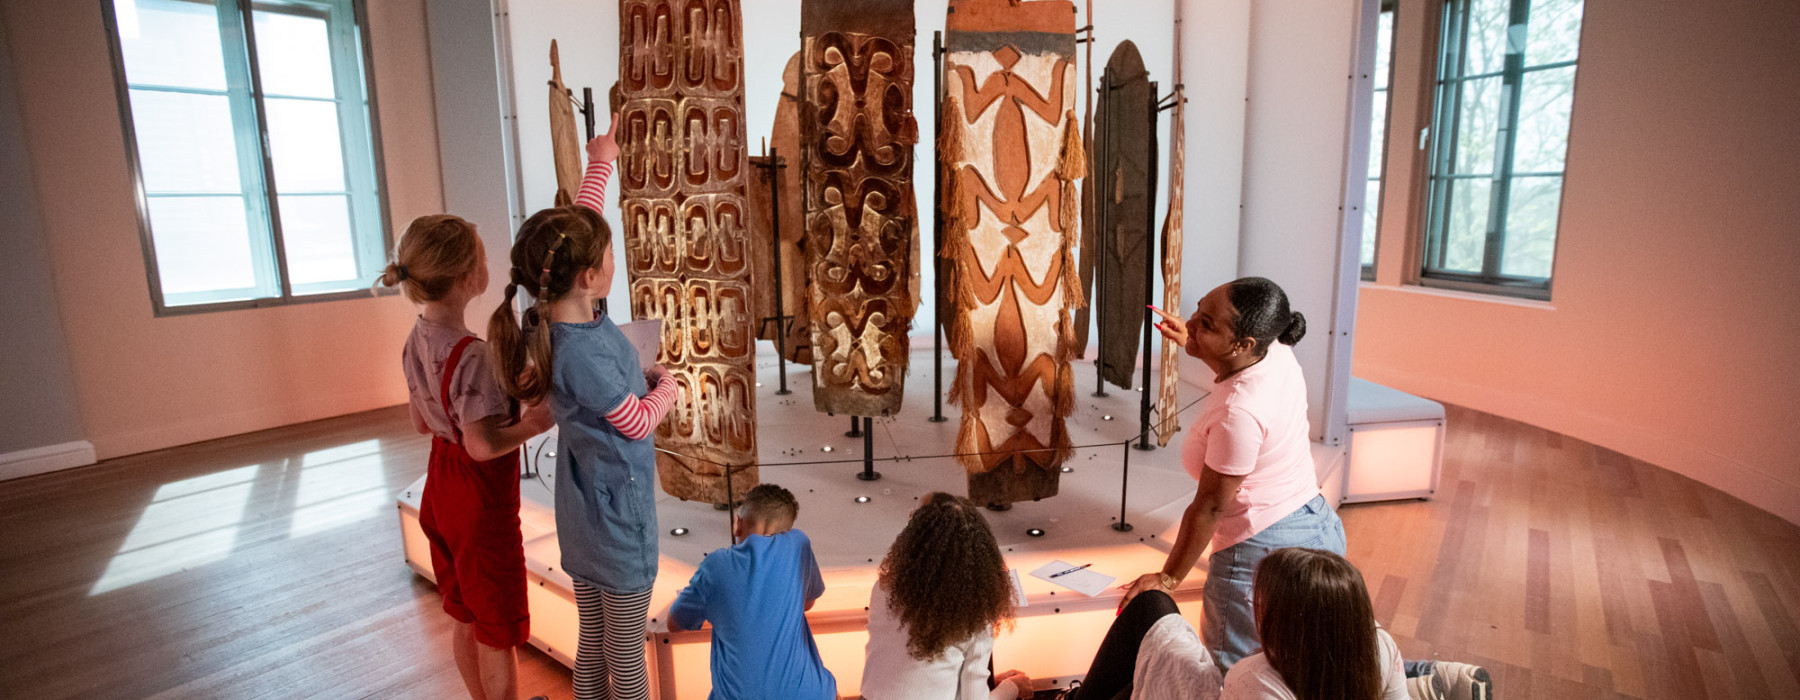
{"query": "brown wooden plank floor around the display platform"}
pixel 269 566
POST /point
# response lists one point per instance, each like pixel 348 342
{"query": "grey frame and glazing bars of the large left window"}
pixel 267 208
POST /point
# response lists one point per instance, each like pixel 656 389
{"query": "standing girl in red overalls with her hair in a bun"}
pixel 471 505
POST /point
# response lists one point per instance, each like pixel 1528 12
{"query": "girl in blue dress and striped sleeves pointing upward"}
pixel 606 409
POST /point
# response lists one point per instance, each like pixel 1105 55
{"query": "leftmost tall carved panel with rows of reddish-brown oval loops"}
pixel 683 174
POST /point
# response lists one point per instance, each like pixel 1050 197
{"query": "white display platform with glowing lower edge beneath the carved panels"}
pixel 809 454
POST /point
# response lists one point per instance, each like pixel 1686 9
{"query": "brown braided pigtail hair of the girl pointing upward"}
pixel 553 247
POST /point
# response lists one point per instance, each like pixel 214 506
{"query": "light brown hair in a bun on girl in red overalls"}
pixel 433 256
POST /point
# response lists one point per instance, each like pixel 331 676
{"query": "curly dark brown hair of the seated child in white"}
pixel 946 577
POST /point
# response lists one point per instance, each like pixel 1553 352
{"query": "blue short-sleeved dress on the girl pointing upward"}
pixel 606 483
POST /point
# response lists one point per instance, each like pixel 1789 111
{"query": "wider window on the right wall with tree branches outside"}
pixel 1506 89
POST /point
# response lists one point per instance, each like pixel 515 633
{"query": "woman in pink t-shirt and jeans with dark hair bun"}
pixel 1252 453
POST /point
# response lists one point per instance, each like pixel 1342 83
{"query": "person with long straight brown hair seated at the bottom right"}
pixel 1318 633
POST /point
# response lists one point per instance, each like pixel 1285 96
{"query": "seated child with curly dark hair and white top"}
pixel 940 597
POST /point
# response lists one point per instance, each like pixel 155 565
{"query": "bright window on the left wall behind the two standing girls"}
pixel 249 134
